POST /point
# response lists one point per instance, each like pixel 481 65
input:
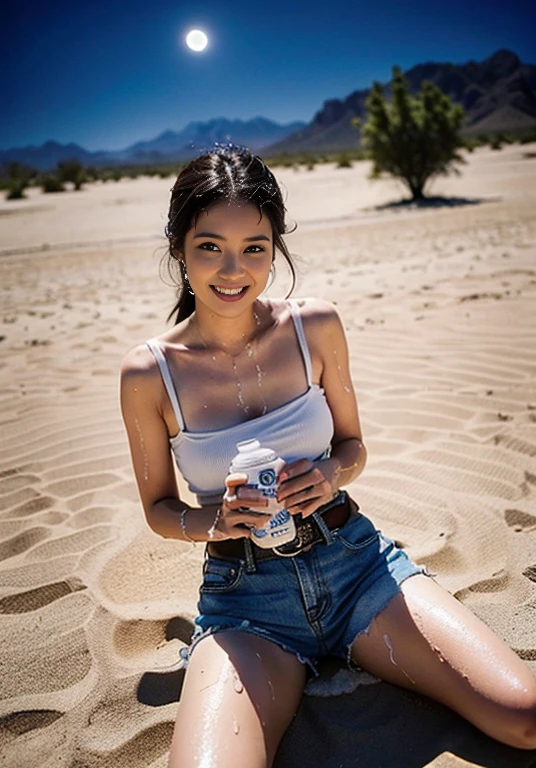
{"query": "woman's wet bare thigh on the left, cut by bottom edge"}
pixel 239 696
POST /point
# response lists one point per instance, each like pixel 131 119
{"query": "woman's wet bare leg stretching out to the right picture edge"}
pixel 427 641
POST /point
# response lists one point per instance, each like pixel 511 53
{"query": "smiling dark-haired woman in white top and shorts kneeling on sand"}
pixel 236 366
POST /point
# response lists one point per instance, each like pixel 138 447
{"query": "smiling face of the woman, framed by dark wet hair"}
pixel 228 254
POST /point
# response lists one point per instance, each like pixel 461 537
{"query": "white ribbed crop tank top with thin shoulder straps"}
pixel 299 429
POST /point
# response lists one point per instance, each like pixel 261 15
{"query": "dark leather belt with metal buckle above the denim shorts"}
pixel 308 533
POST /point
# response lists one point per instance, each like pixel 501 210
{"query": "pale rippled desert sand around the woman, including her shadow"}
pixel 439 304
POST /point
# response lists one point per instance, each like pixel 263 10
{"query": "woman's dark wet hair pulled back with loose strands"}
pixel 232 174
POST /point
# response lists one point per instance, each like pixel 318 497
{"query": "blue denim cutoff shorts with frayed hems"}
pixel 314 604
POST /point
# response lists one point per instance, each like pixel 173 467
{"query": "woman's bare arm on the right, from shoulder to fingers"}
pixel 306 485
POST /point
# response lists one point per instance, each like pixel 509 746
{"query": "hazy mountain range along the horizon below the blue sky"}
pixel 497 94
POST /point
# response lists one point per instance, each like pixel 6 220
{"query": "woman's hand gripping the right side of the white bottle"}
pixel 305 485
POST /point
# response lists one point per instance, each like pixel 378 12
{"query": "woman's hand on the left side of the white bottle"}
pixel 241 509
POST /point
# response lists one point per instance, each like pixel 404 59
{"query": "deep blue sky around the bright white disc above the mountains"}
pixel 107 74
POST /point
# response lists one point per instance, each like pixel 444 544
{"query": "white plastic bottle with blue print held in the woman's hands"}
pixel 262 466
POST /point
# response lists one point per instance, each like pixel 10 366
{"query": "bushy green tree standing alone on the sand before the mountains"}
pixel 413 138
